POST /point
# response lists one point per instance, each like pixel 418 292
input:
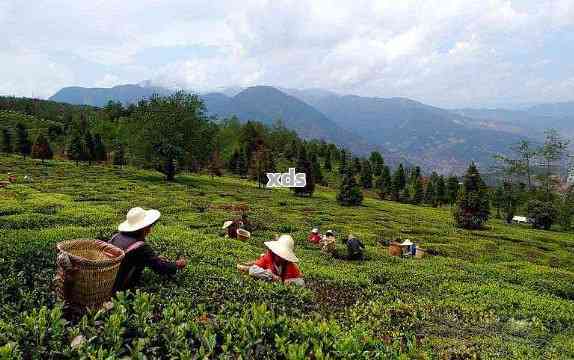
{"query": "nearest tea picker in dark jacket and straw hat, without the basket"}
pixel 139 255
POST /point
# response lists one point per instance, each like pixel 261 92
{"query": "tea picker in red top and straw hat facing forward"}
pixel 279 263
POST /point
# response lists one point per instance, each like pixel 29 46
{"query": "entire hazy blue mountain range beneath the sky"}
pixel 404 130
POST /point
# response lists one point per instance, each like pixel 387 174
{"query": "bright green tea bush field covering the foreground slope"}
pixel 504 292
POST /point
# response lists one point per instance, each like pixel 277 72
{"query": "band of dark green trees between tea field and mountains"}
pixel 174 133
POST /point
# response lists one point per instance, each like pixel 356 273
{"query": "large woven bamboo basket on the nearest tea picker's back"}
pixel 87 269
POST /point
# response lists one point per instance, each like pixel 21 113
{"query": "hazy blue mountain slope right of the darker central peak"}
pixel 437 138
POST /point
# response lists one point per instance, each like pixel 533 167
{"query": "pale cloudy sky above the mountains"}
pixel 443 52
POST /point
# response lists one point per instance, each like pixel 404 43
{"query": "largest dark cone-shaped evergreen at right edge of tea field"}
pixel 473 208
